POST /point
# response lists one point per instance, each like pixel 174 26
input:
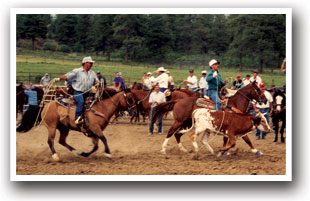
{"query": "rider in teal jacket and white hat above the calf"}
pixel 215 83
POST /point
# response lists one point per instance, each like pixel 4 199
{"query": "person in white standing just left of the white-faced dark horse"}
pixel 264 108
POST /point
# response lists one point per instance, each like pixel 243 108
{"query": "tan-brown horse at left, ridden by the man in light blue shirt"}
pixel 55 116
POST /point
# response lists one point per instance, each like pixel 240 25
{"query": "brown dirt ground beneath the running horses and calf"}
pixel 137 153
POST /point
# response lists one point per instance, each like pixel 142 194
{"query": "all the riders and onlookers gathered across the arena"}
pixel 210 84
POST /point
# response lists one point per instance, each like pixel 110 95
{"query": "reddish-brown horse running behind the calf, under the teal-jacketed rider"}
pixel 183 109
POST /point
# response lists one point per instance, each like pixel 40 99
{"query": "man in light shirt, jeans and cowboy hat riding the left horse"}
pixel 83 79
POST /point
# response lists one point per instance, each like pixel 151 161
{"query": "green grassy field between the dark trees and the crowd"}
pixel 55 64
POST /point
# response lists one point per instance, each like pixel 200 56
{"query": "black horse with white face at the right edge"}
pixel 279 113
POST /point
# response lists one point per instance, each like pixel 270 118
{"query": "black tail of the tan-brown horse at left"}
pixel 30 119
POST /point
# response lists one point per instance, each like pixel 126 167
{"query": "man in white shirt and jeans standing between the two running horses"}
pixel 157 97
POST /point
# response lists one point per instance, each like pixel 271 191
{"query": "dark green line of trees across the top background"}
pixel 252 40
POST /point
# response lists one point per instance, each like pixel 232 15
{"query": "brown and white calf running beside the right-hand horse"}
pixel 226 123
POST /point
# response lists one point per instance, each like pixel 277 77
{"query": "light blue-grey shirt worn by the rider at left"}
pixel 82 81
